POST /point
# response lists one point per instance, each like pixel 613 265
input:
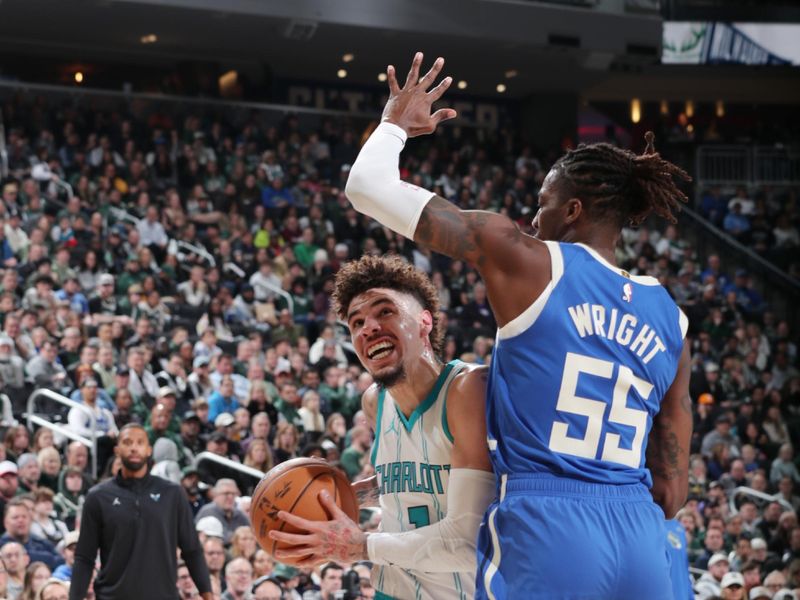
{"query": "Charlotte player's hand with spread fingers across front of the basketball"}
pixel 339 539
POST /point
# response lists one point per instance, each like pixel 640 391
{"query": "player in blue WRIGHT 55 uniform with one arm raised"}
pixel 588 411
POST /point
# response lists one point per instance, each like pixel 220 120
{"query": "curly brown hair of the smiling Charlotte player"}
pixel 392 272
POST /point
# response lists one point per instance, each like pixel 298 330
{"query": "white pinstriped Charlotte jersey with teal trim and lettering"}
pixel 411 457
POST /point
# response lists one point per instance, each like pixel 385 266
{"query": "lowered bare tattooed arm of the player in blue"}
pixel 668 445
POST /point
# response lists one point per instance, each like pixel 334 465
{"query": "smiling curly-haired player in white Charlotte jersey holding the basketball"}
pixel 433 476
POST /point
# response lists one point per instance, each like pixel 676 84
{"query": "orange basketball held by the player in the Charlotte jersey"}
pixel 294 486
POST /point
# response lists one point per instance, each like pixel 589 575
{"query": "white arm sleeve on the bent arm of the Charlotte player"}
pixel 448 545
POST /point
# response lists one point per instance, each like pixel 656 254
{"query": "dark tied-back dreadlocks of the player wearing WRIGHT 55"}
pixel 617 184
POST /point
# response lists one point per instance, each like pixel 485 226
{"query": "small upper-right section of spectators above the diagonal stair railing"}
pixel 766 219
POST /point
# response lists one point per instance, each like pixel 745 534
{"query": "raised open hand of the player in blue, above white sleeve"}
pixel 409 107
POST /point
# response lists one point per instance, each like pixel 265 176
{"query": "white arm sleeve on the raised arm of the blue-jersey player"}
pixel 374 186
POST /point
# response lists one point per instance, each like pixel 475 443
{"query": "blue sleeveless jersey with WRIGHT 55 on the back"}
pixel 577 378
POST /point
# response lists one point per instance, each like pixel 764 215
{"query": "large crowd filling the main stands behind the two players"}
pixel 186 283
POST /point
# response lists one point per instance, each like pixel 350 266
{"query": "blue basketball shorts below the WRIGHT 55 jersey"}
pixel 558 538
